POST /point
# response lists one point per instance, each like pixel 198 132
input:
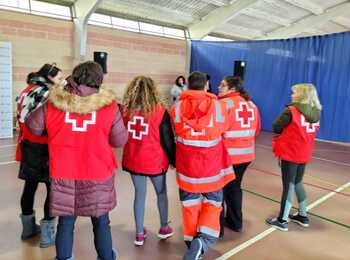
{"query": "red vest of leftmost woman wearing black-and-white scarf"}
pixel 24 132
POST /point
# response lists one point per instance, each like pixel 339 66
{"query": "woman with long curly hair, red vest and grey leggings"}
pixel 149 150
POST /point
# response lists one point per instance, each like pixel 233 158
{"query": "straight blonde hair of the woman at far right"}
pixel 307 94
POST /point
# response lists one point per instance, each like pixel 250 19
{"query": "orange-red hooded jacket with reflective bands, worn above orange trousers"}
pixel 202 162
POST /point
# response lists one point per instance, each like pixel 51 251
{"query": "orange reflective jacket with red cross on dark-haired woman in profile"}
pixel 244 121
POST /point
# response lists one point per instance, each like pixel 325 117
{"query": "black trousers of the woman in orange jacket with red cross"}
pixel 233 199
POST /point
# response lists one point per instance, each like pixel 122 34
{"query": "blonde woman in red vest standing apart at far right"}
pixel 297 127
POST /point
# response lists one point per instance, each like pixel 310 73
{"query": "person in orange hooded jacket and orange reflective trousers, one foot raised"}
pixel 203 166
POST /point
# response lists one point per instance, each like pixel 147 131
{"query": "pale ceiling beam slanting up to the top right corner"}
pixel 308 23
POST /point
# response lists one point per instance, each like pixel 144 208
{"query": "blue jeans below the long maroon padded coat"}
pixel 102 237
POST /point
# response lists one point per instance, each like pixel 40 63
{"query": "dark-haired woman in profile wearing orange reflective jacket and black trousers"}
pixel 244 124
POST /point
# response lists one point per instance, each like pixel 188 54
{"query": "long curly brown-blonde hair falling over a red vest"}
pixel 141 95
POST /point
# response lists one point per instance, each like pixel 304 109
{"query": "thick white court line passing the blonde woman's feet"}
pixel 272 229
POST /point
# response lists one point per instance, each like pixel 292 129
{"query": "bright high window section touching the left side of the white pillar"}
pixel 52 10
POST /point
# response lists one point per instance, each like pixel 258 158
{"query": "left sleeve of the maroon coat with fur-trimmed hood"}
pixel 36 120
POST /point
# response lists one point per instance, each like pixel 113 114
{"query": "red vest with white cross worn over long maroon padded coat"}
pixel 79 144
